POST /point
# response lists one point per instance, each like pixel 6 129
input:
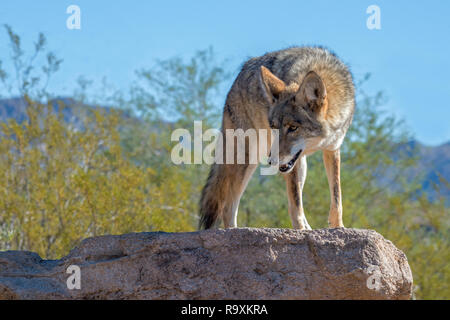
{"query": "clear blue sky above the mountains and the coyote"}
pixel 409 58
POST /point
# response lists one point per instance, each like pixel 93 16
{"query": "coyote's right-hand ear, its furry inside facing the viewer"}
pixel 312 91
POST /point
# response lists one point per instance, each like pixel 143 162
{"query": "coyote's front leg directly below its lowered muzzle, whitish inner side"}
pixel 294 184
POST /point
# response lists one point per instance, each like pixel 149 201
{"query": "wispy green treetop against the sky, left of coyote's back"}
pixel 181 92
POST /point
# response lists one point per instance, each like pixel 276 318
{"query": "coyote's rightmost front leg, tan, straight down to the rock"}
pixel 332 162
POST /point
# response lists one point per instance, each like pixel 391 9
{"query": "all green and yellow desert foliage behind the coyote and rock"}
pixel 111 173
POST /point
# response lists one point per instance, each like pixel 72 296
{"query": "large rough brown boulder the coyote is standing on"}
pixel 241 263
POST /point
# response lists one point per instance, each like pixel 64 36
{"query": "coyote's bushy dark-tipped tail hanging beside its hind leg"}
pixel 210 201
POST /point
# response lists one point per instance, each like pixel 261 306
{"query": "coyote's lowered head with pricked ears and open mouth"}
pixel 296 111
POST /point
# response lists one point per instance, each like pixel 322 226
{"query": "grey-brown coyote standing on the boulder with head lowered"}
pixel 306 93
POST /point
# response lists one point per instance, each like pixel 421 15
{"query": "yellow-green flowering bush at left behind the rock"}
pixel 61 183
